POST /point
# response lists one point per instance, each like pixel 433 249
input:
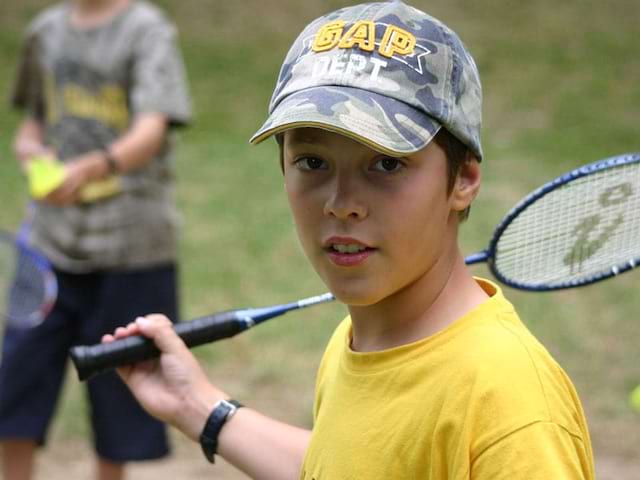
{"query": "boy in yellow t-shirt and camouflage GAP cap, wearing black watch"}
pixel 432 375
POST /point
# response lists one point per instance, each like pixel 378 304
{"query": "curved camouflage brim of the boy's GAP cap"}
pixel 382 123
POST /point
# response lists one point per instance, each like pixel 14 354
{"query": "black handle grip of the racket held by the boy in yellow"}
pixel 89 360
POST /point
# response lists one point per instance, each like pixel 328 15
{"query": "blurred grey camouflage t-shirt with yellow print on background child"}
pixel 87 86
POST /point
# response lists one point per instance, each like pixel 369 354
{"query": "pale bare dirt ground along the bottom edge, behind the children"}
pixel 71 460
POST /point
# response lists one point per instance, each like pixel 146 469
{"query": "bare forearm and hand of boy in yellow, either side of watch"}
pixel 176 390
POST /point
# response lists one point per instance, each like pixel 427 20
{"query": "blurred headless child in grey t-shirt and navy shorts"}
pixel 101 83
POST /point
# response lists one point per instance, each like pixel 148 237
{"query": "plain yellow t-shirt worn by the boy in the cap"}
pixel 481 399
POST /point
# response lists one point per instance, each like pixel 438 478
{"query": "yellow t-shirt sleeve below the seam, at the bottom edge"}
pixel 539 451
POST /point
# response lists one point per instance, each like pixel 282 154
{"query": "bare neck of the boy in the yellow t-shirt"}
pixel 419 310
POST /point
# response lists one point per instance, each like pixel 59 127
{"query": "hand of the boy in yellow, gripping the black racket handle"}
pixel 173 388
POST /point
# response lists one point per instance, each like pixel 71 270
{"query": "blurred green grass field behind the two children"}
pixel 561 89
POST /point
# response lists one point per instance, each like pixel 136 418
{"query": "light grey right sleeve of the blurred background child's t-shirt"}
pixel 159 77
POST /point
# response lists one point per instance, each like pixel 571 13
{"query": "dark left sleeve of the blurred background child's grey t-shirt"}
pixel 28 87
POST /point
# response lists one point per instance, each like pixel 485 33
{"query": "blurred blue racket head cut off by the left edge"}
pixel 28 286
